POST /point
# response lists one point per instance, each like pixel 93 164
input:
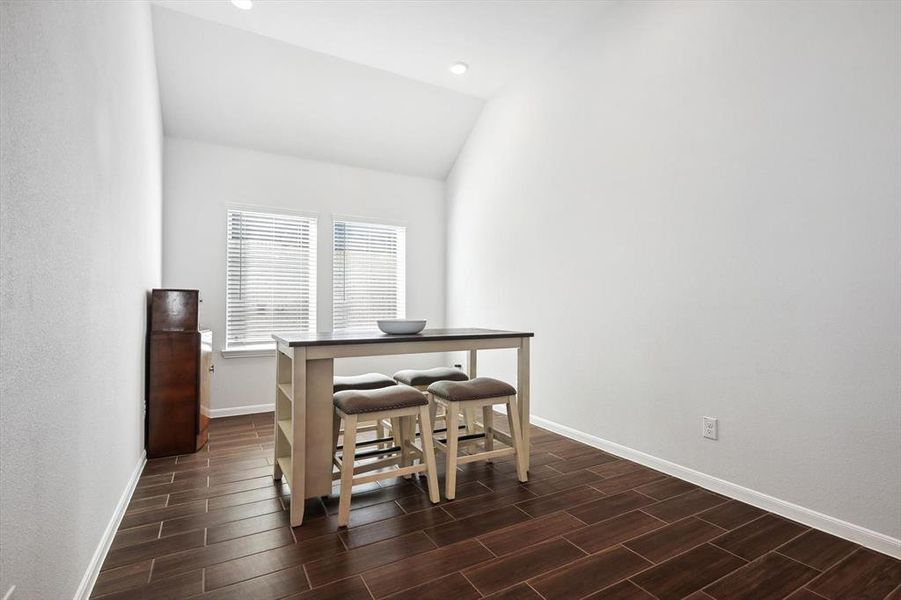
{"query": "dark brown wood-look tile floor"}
pixel 213 525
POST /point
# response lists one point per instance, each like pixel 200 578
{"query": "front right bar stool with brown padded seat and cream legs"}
pixel 479 392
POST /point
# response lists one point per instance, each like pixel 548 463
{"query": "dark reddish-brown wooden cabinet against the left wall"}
pixel 179 365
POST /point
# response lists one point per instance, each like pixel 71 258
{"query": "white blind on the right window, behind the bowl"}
pixel 368 275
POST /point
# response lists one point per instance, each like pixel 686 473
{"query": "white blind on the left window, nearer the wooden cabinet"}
pixel 271 274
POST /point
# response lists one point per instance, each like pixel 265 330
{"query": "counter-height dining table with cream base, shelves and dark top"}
pixel 303 451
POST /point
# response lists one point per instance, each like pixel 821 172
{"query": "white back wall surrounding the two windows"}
pixel 201 180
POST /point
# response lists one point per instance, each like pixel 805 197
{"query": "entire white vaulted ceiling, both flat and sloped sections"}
pixel 358 83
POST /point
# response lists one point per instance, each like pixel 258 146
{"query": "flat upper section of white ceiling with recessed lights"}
pixel 418 39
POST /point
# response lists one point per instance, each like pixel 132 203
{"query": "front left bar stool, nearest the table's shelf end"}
pixel 397 402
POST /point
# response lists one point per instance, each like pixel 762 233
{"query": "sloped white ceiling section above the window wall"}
pixel 232 87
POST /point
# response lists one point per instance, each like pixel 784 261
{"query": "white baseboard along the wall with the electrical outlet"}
pixel 849 531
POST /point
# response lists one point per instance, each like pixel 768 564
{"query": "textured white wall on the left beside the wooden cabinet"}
pixel 80 244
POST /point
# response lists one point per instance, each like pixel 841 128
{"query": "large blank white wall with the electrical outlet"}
pixel 695 206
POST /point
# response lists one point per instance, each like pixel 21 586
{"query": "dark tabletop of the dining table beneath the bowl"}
pixel 377 337
